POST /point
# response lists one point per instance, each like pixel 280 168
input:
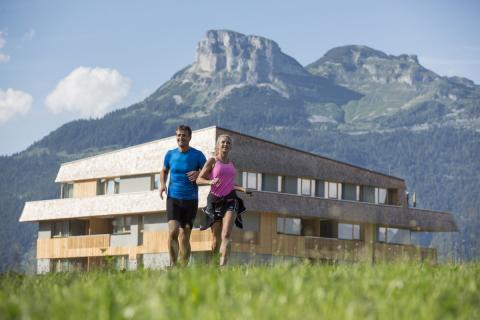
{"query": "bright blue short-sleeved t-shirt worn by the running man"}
pixel 179 164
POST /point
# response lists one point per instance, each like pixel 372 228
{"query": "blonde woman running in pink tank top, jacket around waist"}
pixel 223 205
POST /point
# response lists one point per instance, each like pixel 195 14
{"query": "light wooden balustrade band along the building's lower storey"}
pixel 267 241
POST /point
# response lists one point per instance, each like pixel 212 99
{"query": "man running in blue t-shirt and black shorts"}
pixel 183 164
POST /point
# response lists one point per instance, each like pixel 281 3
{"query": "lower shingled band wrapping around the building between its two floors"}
pixel 279 203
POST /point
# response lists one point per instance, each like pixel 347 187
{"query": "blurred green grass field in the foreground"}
pixel 281 292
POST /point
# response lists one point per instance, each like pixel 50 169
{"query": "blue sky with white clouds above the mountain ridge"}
pixel 65 60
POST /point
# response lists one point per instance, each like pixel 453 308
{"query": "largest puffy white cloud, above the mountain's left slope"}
pixel 88 91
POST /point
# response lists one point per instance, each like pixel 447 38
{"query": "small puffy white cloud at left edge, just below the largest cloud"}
pixel 13 102
